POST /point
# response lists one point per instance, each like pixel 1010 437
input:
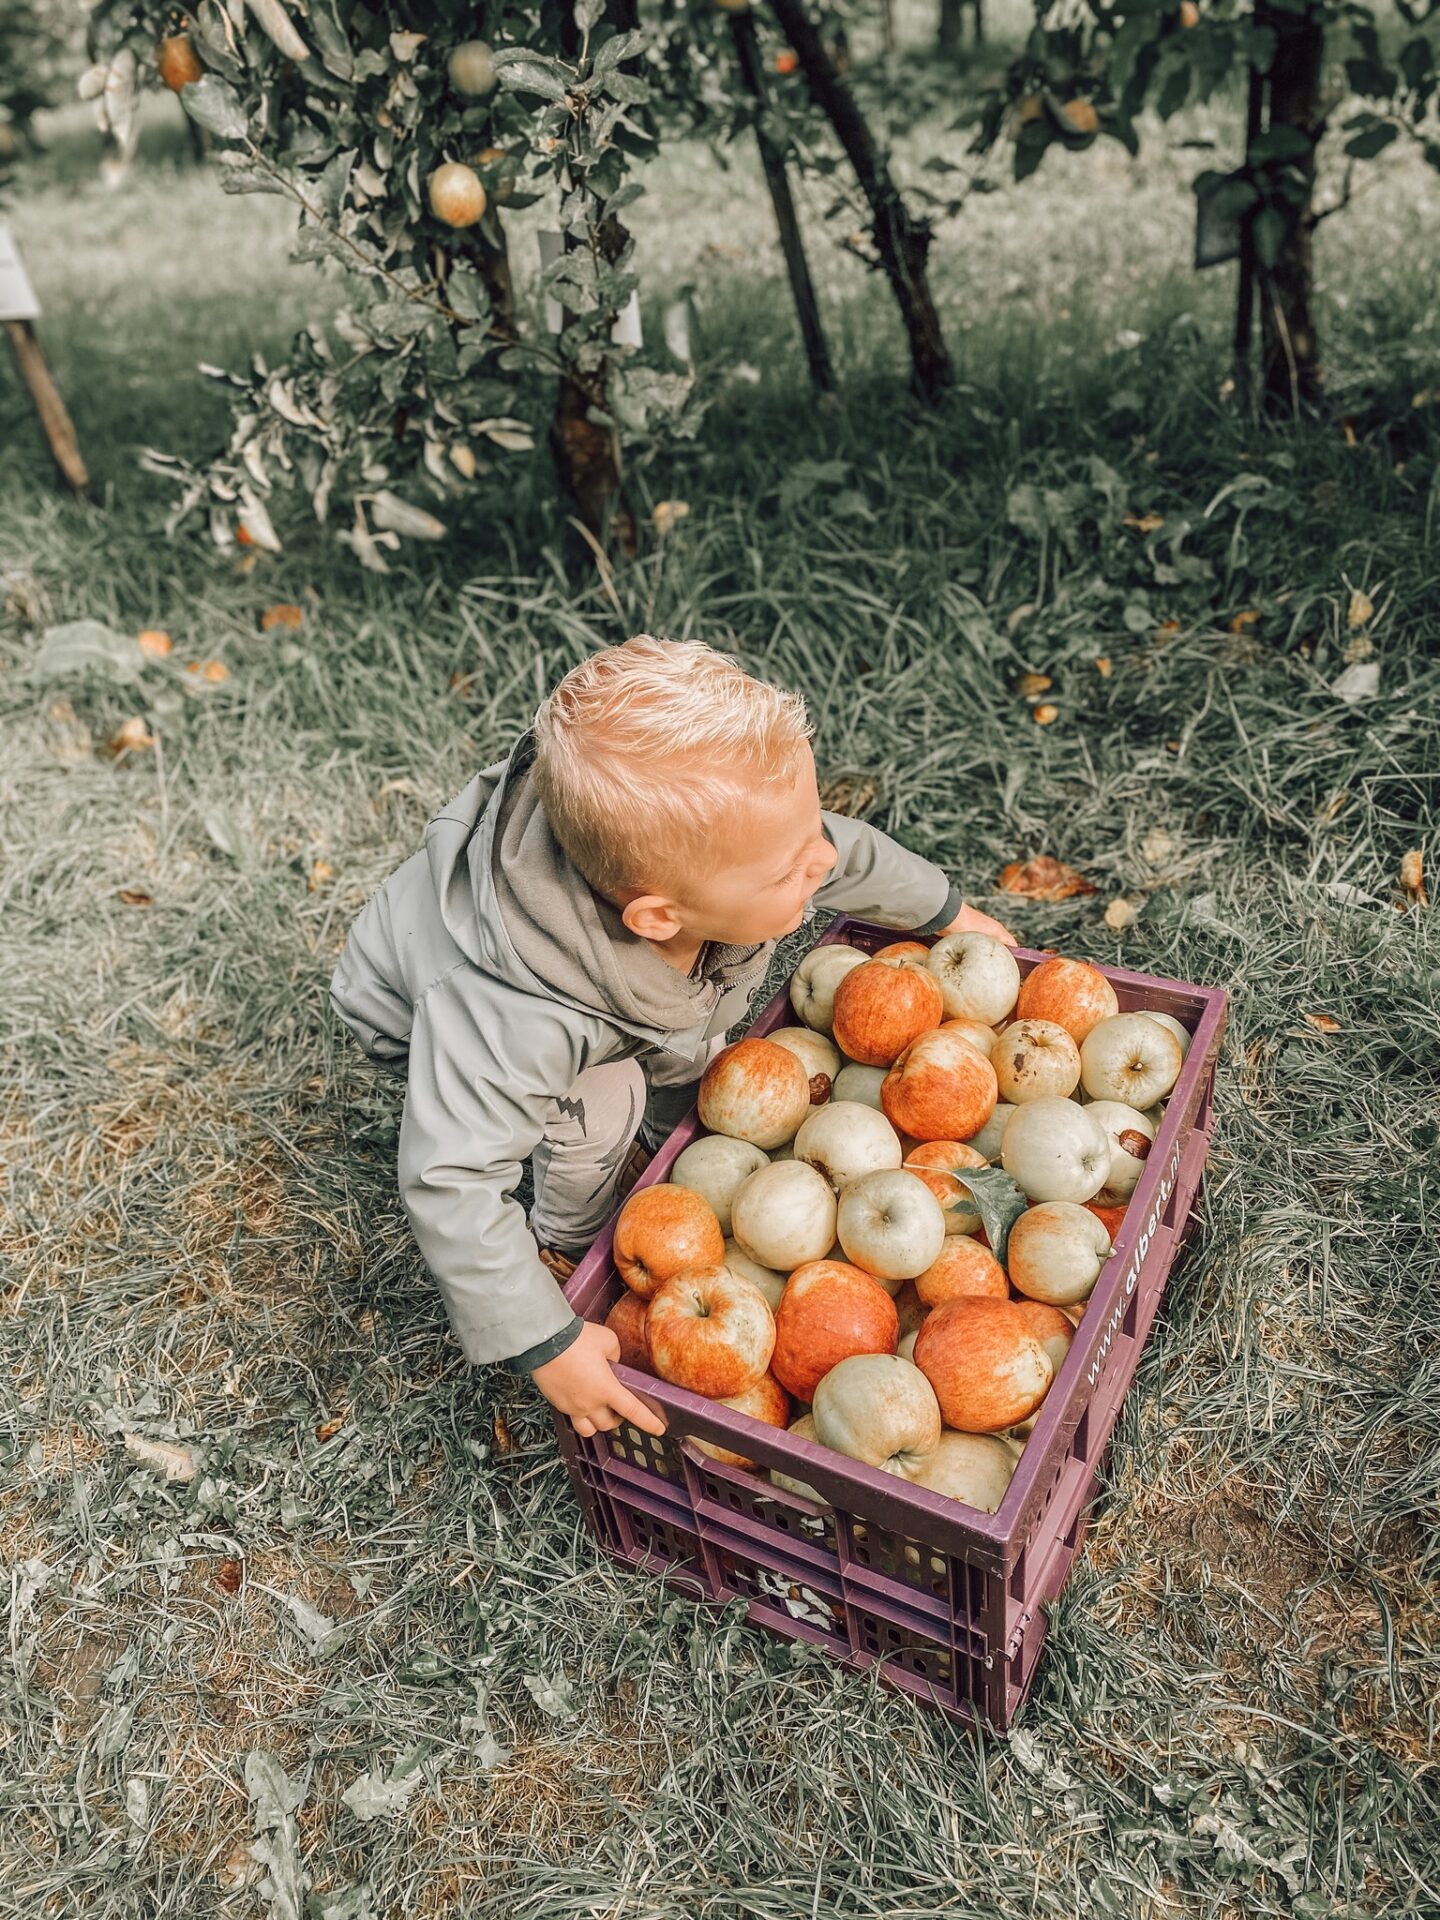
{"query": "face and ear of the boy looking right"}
pixel 775 859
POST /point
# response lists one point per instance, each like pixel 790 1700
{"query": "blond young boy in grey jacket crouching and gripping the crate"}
pixel 560 963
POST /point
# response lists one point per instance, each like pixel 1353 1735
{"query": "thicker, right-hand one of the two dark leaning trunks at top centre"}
pixel 901 239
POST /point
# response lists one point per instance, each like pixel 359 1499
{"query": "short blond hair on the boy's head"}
pixel 646 750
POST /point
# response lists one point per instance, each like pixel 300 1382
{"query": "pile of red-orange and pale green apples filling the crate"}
pixel 819 1251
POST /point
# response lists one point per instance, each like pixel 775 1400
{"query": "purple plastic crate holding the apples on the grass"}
pixel 946 1600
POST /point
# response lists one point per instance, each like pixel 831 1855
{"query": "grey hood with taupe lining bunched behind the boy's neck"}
pixel 517 907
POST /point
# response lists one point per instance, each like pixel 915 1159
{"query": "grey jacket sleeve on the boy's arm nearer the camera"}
pixel 483 1067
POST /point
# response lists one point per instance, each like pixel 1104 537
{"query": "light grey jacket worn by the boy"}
pixel 435 986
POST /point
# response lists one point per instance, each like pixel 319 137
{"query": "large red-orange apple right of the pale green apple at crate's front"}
pixel 986 1366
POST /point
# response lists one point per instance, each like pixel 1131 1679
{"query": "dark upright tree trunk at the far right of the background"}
pixel 1287 324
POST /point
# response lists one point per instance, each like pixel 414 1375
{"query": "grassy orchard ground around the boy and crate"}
pixel 1236 1714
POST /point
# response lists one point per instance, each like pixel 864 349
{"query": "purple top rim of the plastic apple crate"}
pixel 746 1435
